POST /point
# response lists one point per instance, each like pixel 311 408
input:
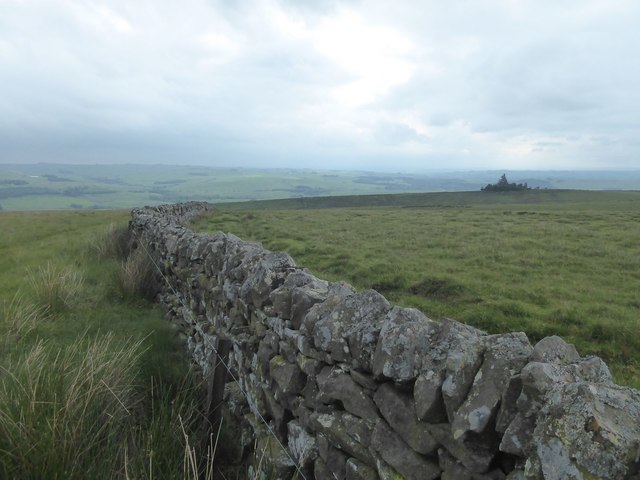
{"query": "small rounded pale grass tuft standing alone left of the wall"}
pixel 56 288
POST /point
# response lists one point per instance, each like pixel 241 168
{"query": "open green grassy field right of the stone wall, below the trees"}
pixel 544 262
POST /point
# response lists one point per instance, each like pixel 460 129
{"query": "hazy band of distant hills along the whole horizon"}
pixel 61 187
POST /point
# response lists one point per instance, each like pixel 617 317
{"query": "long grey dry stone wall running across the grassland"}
pixel 355 388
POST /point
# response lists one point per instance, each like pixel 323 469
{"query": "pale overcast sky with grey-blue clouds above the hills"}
pixel 396 85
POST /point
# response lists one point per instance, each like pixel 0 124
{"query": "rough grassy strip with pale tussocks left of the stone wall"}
pixel 94 382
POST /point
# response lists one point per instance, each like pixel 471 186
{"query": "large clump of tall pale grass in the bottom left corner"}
pixel 65 413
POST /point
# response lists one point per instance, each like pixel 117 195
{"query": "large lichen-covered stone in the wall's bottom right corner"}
pixel 586 431
